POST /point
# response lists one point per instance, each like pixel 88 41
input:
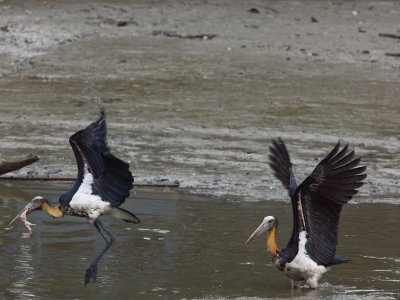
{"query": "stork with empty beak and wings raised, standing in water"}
pixel 316 204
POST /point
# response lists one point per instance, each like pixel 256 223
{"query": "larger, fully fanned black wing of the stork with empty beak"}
pixel 321 196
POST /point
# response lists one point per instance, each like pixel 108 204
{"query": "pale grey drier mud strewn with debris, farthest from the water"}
pixel 314 31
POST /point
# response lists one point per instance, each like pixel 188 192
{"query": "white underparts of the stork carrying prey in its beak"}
pixel 85 201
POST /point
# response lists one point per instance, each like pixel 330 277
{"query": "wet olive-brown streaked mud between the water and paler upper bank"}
pixel 208 124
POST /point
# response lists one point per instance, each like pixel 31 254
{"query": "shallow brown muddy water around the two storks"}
pixel 186 247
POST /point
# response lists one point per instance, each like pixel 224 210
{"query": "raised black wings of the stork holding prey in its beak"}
pixel 112 179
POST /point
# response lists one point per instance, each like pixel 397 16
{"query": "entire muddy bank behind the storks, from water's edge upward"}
pixel 203 111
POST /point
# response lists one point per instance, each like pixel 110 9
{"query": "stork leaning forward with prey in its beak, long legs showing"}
pixel 101 186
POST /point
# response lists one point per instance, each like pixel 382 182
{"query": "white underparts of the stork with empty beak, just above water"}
pixel 302 267
